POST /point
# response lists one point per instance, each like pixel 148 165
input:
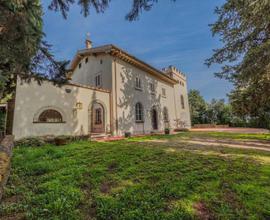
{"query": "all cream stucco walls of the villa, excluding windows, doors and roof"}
pixel 118 77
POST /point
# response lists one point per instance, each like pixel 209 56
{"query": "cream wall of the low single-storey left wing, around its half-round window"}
pixel 32 99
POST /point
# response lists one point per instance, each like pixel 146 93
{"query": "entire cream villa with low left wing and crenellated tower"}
pixel 110 92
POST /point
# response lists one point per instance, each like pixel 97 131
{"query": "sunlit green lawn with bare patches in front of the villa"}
pixel 139 179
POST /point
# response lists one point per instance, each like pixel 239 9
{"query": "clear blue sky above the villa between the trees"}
pixel 172 33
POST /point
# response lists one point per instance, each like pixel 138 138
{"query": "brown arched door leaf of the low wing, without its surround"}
pixel 98 118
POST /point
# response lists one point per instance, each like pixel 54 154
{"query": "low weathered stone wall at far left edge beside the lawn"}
pixel 5 158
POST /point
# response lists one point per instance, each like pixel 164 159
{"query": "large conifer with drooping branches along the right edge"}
pixel 244 28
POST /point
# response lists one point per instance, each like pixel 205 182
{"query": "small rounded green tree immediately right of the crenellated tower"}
pixel 198 107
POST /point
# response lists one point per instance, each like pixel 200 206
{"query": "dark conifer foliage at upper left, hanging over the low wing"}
pixel 24 53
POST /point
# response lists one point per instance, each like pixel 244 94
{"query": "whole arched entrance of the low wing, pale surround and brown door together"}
pixel 97 117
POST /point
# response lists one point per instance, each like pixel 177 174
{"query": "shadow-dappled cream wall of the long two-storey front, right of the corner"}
pixel 125 96
